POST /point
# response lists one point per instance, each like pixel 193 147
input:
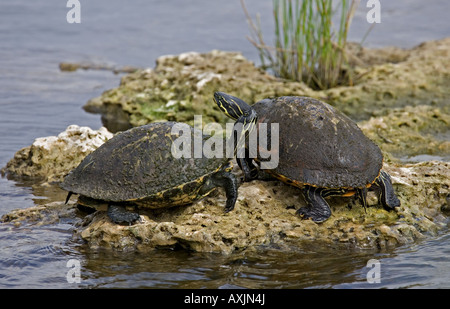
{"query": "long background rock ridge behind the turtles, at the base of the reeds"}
pixel 181 86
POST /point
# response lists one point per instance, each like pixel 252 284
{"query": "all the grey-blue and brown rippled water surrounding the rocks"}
pixel 38 100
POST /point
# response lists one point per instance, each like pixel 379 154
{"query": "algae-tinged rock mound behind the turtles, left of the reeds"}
pixel 180 87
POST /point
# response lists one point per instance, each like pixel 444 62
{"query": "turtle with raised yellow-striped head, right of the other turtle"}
pixel 321 151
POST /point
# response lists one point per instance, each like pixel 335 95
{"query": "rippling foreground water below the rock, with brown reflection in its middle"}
pixel 35 255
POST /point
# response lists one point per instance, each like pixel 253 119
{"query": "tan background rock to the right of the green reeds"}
pixel 418 76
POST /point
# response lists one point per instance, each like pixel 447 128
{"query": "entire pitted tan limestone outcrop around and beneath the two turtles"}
pixel 414 81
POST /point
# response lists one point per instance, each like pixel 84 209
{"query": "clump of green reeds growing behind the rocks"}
pixel 308 47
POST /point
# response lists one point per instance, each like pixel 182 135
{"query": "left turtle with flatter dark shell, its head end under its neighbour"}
pixel 140 168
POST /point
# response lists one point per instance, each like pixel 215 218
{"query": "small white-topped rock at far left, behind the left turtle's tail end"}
pixel 50 158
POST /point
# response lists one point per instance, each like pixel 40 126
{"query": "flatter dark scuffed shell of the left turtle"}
pixel 137 165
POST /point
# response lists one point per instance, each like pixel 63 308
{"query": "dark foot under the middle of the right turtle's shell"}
pixel 317 208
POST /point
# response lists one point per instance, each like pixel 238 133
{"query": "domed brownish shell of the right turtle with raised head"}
pixel 318 145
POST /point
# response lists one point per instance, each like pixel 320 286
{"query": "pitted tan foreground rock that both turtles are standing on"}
pixel 265 216
